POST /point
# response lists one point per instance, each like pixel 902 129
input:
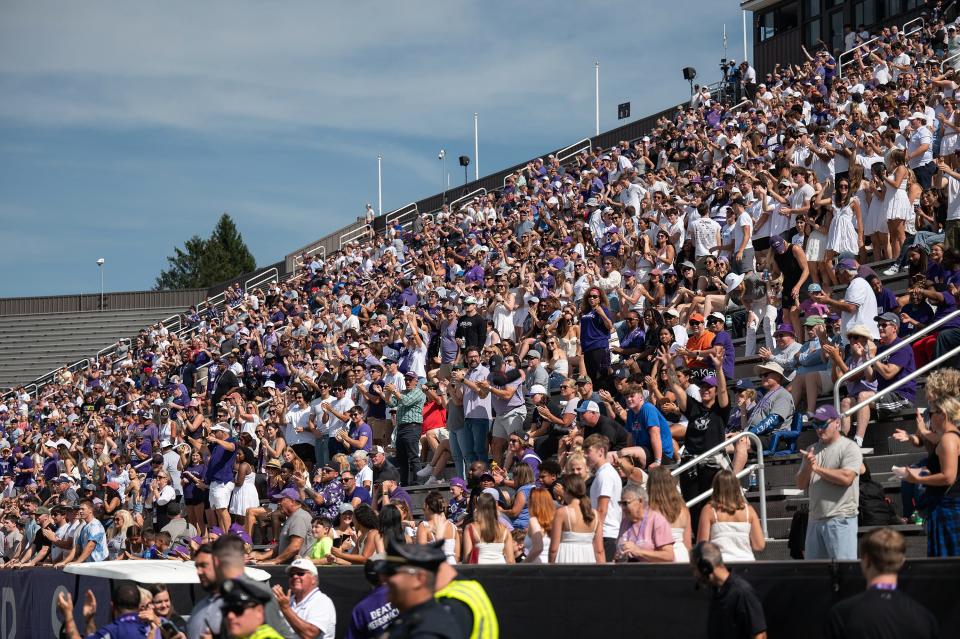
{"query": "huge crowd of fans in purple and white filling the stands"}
pixel 561 344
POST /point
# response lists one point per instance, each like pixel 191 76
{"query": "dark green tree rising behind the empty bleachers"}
pixel 202 263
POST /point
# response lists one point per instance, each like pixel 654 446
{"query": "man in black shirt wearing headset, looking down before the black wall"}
pixel 735 608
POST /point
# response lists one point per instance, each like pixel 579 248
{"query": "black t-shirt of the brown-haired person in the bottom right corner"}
pixel 878 614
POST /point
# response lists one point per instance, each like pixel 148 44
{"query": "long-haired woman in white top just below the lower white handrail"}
pixel 729 521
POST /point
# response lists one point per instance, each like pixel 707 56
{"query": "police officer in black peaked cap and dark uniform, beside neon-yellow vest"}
pixel 411 572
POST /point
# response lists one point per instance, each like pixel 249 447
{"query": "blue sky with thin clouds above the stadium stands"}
pixel 125 128
